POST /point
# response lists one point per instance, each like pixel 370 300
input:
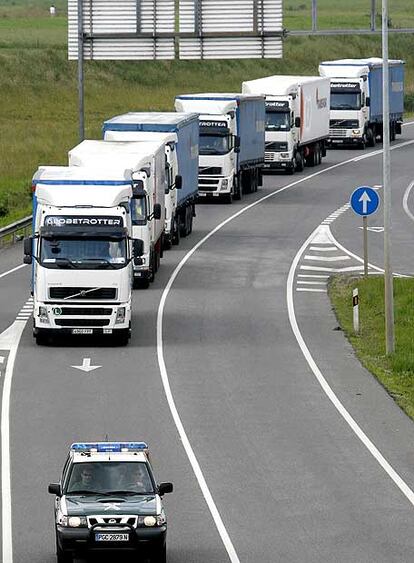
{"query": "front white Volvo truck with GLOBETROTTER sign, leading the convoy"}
pixel 81 252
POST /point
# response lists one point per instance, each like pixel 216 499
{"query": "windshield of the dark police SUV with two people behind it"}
pixel 109 477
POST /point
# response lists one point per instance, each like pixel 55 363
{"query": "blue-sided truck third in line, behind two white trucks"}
pixel 182 160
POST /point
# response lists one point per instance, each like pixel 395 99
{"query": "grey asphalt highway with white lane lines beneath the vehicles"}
pixel 280 446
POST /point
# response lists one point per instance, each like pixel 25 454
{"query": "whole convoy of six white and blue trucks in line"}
pixel 100 224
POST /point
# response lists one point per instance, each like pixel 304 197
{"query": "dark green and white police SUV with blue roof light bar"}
pixel 108 500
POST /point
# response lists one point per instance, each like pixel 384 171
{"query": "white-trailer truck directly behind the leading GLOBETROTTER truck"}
pixel 147 162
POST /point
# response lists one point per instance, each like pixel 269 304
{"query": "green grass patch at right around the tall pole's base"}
pixel 396 371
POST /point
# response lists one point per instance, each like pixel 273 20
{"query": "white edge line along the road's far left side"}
pixel 9 340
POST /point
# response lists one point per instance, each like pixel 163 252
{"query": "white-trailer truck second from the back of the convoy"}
pixel 297 120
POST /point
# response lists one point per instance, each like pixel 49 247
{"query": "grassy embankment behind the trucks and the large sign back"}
pixel 38 86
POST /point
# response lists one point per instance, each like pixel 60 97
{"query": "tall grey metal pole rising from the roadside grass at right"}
pixel 389 292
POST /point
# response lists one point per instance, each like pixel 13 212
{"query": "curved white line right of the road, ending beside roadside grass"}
pixel 326 387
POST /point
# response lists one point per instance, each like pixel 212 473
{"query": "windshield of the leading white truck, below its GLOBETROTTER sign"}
pixel 82 253
